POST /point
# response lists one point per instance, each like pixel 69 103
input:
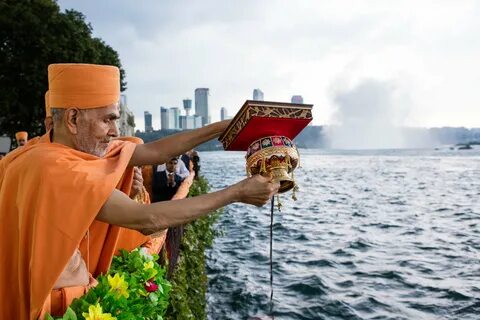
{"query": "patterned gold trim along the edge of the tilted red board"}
pixel 264 109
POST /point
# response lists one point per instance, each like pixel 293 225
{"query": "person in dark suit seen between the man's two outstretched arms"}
pixel 165 183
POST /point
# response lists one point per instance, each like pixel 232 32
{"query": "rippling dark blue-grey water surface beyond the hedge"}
pixel 373 235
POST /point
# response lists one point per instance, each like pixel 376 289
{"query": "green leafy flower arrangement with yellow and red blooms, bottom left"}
pixel 134 288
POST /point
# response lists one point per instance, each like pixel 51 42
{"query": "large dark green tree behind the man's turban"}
pixel 34 34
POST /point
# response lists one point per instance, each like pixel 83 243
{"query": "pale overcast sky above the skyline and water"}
pixel 426 52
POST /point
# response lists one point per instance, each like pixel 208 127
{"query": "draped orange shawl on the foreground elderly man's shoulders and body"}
pixel 50 195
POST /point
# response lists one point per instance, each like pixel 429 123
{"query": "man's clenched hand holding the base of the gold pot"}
pixel 257 190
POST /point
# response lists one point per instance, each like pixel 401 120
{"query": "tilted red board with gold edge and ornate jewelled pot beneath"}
pixel 265 130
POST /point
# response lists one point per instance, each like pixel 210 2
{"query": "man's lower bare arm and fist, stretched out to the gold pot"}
pixel 149 218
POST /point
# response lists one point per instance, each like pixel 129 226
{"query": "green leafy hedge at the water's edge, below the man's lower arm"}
pixel 189 281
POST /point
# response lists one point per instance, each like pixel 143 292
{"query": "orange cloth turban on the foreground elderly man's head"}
pixel 83 86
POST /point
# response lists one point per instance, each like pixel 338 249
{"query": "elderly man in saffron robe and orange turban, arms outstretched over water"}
pixel 64 197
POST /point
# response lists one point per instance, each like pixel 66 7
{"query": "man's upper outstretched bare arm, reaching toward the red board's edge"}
pixel 162 150
